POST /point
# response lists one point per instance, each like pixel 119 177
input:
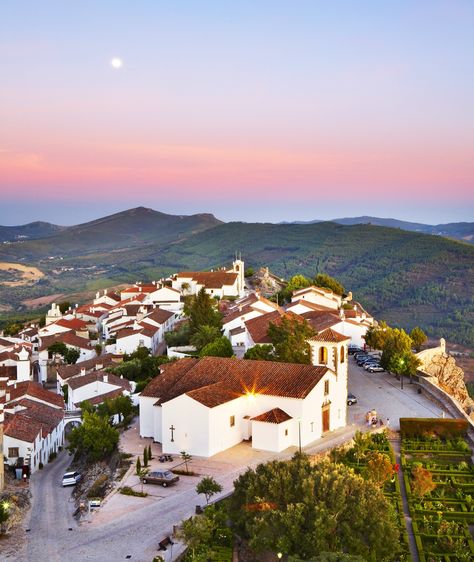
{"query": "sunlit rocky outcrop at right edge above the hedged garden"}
pixel 442 368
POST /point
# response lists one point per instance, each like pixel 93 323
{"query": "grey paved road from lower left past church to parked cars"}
pixel 135 535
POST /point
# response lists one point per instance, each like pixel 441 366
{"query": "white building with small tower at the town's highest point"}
pixel 220 283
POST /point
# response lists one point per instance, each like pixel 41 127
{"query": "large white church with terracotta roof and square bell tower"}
pixel 204 406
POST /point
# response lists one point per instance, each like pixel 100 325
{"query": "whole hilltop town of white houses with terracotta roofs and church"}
pixel 227 387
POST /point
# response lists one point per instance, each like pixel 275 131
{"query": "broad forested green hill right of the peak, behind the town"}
pixel 404 277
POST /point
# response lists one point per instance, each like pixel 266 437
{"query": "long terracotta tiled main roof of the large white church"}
pixel 231 378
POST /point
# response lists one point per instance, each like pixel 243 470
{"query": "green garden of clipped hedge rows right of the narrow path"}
pixel 439 479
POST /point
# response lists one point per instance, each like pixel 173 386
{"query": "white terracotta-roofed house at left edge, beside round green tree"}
pixel 34 424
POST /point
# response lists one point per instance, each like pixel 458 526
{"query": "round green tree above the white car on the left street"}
pixel 94 438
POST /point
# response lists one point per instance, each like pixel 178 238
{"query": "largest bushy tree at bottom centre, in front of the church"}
pixel 309 509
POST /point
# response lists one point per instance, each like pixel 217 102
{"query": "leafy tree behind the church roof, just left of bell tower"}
pixel 289 338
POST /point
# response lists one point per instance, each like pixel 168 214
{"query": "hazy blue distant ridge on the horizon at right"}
pixel 459 230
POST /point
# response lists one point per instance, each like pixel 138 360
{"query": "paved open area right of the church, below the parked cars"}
pixel 382 392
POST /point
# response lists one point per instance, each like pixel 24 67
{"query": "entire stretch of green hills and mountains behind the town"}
pixel 408 278
